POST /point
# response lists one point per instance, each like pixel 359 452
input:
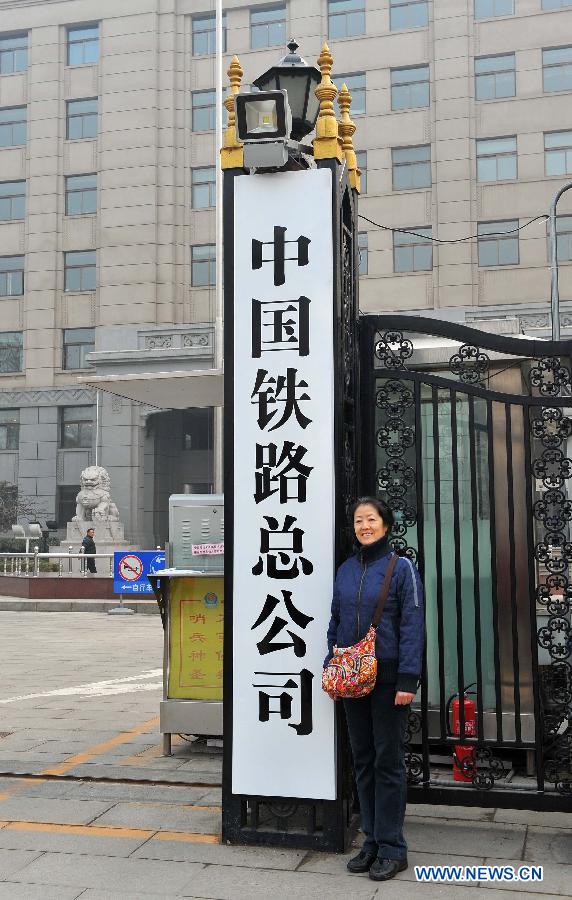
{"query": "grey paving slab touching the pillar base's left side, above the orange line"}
pixel 163 817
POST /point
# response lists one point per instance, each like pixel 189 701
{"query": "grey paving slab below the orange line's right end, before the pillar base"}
pixel 250 857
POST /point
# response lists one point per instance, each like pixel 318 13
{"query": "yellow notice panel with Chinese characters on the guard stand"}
pixel 195 640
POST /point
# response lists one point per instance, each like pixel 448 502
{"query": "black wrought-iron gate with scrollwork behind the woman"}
pixel 468 436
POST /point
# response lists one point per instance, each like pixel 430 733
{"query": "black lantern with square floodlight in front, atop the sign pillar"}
pixel 272 121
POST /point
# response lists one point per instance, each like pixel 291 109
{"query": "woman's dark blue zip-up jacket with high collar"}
pixel 400 635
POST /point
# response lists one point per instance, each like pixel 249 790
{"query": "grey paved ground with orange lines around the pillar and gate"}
pixel 89 807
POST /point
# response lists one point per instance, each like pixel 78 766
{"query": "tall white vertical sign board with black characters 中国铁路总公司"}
pixel 283 543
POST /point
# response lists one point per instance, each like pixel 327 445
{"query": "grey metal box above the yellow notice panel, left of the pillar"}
pixel 196 523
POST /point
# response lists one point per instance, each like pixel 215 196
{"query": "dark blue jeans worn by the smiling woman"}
pixel 377 736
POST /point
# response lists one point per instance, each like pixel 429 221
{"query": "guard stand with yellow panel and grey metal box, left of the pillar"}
pixel 190 594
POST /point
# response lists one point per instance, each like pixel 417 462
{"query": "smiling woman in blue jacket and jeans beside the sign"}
pixel 377 722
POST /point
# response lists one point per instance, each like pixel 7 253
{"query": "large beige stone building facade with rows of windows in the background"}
pixel 107 205
